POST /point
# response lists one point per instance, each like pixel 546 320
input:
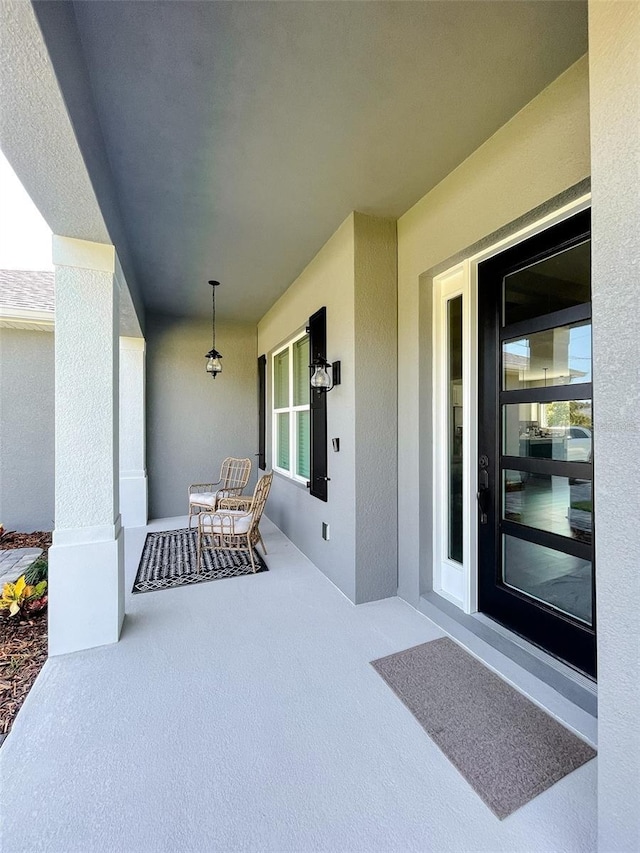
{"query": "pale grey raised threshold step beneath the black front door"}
pixel 566 694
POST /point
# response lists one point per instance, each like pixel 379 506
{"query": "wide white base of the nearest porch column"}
pixel 86 583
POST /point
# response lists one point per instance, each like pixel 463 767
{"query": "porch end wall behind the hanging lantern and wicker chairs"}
pixel 194 421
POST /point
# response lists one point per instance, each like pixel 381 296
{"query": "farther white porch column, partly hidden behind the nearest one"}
pixel 133 474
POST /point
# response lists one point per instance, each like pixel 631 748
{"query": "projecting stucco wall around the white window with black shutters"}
pixel 354 276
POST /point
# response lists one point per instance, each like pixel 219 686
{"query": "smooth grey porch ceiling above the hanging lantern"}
pixel 239 135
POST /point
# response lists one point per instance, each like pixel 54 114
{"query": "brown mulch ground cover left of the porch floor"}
pixel 23 644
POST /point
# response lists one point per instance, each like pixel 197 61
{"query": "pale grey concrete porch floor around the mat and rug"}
pixel 243 715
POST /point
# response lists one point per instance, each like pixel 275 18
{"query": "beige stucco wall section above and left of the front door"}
pixel 541 152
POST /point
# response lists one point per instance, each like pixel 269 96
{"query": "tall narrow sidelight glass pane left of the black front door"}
pixel 454 323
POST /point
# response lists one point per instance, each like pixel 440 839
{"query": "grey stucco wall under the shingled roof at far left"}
pixel 27 430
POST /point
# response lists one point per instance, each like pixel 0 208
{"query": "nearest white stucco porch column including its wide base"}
pixel 86 573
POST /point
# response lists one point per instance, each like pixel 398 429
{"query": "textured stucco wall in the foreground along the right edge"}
pixel 614 37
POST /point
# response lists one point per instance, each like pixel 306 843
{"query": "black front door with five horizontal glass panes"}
pixel 535 442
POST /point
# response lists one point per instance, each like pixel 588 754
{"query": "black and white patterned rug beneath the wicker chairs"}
pixel 169 559
